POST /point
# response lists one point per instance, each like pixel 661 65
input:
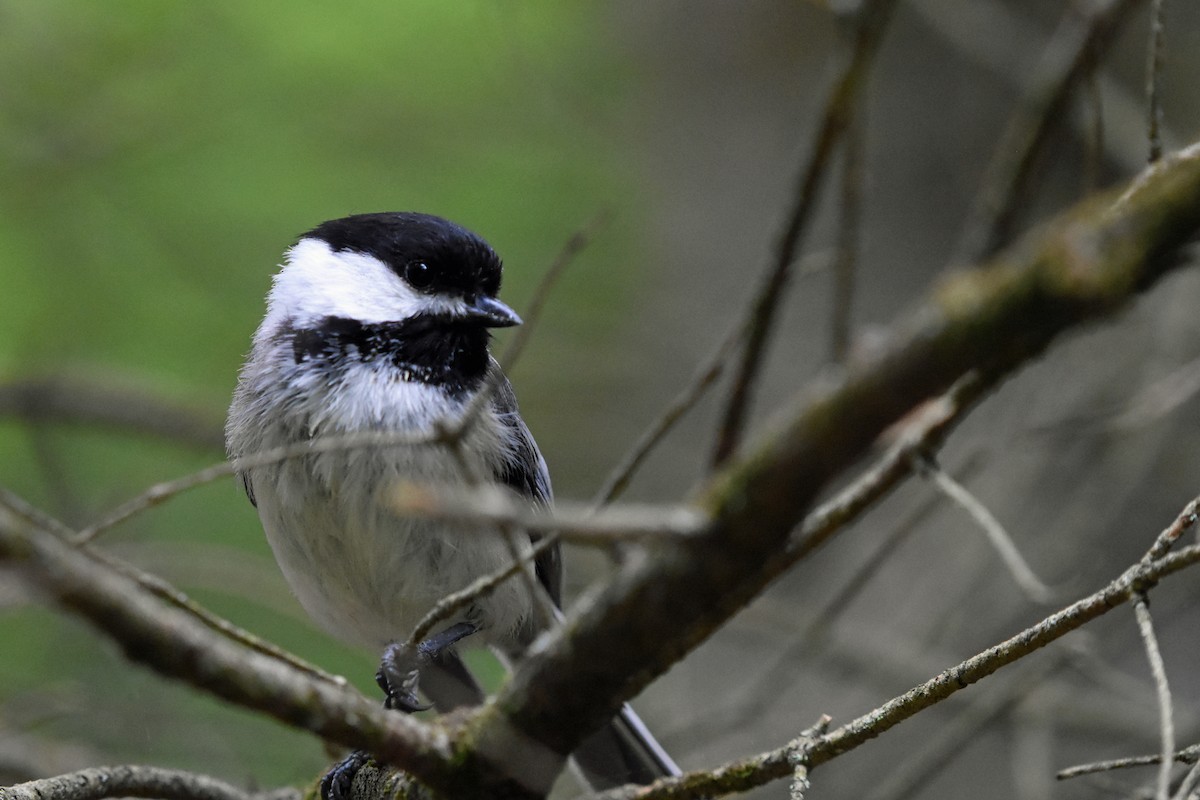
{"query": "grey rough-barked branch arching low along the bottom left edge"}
pixel 131 781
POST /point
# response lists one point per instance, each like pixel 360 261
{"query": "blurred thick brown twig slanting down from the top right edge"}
pixel 1069 58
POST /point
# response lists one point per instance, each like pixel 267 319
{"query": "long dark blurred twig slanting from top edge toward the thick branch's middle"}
pixel 874 16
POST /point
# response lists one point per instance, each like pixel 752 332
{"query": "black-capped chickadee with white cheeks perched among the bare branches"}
pixel 381 323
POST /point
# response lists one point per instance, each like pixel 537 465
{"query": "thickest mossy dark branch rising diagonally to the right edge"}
pixel 1088 266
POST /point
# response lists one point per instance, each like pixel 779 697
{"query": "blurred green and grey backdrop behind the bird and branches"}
pixel 157 159
